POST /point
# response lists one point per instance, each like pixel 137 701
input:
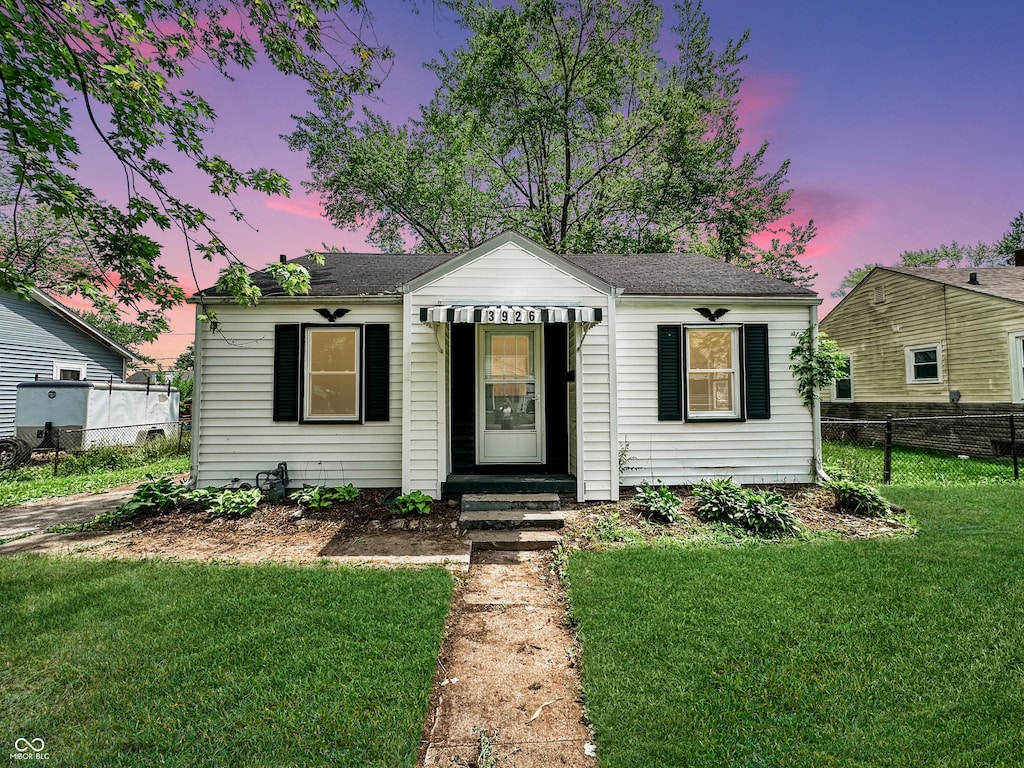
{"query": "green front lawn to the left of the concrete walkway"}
pixel 149 663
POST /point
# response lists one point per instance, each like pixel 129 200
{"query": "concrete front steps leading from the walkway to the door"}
pixel 511 522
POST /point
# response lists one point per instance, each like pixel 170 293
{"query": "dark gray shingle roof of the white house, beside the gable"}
pixel 645 275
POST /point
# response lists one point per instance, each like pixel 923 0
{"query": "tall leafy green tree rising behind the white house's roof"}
pixel 562 121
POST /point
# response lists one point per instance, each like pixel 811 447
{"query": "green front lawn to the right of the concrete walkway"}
pixel 900 653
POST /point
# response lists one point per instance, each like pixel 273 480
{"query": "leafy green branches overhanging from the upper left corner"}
pixel 121 61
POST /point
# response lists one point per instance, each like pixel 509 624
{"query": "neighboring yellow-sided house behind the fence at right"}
pixel 930 342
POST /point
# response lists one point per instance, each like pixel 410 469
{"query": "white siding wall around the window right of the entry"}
pixel 769 451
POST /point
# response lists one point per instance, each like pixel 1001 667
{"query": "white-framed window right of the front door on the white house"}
pixel 713 373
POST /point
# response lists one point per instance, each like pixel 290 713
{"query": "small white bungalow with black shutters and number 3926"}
pixel 446 372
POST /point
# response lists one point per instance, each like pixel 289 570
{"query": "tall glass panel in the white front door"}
pixel 509 381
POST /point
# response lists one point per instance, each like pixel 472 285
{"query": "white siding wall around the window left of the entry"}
pixel 235 434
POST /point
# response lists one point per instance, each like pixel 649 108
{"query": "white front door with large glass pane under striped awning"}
pixel 509 403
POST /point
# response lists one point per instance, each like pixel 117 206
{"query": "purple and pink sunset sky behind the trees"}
pixel 904 123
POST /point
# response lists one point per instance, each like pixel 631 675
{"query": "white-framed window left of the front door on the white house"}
pixel 331 374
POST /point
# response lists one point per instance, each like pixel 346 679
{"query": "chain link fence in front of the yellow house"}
pixel 933 450
